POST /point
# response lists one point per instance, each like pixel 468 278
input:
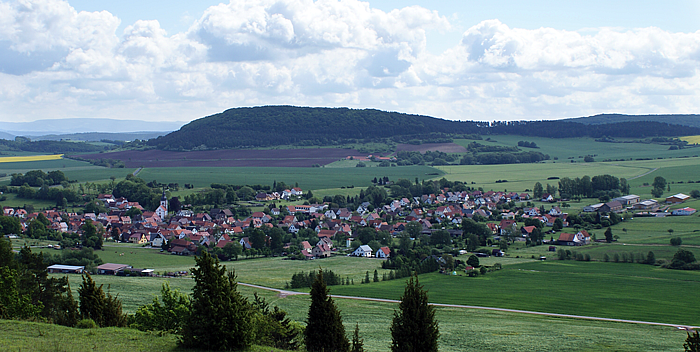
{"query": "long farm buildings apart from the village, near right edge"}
pixel 648 207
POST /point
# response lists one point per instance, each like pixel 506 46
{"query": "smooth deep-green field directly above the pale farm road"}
pixel 580 288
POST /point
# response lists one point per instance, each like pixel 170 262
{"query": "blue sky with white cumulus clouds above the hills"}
pixel 461 60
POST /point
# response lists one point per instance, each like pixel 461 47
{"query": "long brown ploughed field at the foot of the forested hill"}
pixel 228 158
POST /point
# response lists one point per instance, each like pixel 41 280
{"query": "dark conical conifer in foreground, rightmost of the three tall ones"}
pixel 414 328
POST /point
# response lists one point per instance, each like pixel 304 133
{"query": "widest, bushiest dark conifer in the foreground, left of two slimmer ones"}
pixel 220 318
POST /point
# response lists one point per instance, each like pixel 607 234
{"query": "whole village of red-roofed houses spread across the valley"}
pixel 508 216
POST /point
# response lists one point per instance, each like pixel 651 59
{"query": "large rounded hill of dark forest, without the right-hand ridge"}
pixel 287 125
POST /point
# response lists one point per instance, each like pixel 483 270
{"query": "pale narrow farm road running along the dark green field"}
pixel 285 293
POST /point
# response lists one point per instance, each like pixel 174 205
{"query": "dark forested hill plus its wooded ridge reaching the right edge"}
pixel 288 125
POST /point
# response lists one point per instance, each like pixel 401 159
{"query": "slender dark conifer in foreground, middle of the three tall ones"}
pixel 324 326
